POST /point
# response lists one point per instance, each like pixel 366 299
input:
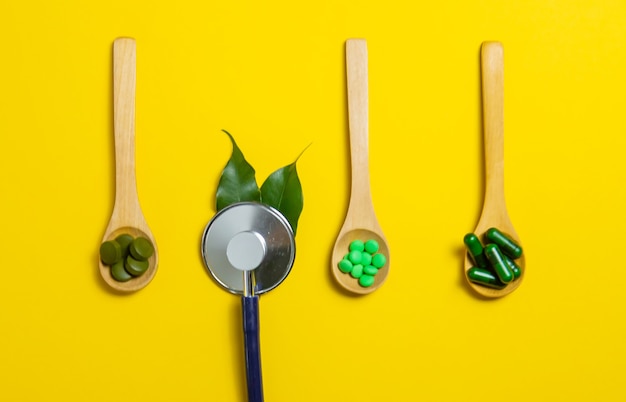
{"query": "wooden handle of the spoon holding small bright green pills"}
pixel 357 77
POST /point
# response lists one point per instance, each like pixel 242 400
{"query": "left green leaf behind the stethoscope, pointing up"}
pixel 238 182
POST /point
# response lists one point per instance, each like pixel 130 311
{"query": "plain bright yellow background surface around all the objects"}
pixel 273 74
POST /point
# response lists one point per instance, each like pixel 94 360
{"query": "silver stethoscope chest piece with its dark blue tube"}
pixel 249 249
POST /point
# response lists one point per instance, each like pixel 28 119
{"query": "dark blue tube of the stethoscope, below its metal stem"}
pixel 250 308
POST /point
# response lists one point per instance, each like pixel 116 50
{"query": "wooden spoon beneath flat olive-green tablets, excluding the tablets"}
pixel 127 216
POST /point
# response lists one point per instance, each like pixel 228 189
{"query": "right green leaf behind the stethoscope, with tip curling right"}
pixel 283 191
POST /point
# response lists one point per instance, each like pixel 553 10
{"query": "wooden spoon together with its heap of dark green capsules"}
pixel 494 223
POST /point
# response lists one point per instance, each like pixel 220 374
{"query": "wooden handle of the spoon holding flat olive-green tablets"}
pixel 124 76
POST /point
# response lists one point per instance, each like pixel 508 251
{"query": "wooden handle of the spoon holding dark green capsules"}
pixel 492 65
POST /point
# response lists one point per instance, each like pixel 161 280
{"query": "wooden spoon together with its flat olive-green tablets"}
pixel 127 221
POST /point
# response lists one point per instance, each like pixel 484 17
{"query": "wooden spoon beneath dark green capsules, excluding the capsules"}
pixel 494 213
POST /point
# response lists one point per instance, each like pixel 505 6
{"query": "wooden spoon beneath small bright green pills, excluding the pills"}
pixel 360 222
